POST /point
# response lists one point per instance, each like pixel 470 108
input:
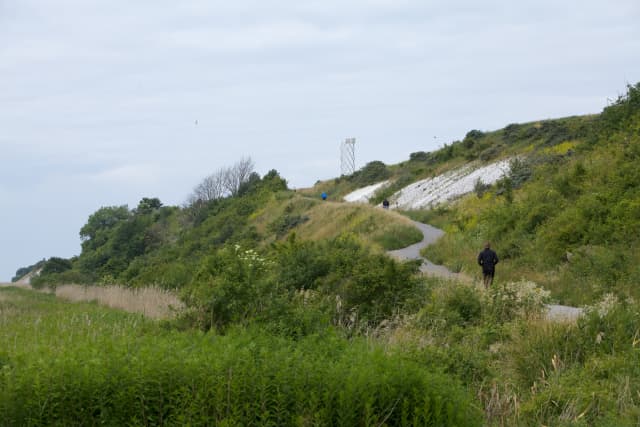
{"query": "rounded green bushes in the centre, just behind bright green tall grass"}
pixel 348 285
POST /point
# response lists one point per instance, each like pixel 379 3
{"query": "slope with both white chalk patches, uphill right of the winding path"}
pixel 558 198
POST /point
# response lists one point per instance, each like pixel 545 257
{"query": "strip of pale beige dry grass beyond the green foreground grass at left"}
pixel 152 302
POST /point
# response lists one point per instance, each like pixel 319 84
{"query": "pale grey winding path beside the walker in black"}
pixel 431 235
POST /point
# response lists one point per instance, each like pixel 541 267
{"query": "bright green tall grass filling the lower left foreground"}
pixel 82 364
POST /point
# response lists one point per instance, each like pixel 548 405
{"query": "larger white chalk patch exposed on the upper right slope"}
pixel 445 187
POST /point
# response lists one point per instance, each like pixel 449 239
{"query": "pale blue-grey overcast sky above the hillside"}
pixel 104 102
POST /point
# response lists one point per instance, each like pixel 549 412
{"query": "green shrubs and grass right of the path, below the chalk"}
pixel 567 215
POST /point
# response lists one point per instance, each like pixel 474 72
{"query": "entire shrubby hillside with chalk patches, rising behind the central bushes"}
pixel 557 198
